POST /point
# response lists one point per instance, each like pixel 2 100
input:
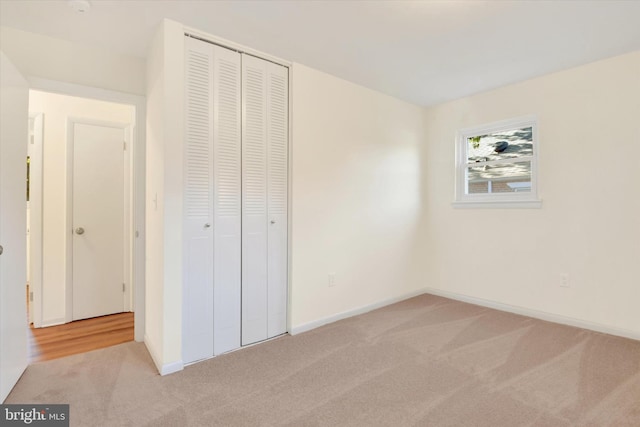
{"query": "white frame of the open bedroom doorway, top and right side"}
pixel 138 173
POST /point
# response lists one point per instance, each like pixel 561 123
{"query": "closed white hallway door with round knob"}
pixel 98 219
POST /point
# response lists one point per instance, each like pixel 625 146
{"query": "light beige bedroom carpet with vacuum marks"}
pixel 427 361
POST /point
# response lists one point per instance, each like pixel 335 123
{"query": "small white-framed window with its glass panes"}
pixel 496 165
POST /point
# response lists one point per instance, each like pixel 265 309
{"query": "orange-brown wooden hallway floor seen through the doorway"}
pixel 80 336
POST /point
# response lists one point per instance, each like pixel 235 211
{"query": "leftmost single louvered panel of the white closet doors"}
pixel 198 234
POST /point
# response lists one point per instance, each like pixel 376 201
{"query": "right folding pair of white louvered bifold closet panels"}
pixel 264 199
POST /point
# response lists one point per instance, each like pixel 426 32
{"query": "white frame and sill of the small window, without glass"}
pixel 514 199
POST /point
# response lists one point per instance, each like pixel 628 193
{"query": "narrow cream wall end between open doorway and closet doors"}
pixel 163 335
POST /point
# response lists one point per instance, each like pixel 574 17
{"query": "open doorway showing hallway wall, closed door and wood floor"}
pixel 81 226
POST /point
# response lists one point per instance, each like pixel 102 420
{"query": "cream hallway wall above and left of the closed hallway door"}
pixel 57 109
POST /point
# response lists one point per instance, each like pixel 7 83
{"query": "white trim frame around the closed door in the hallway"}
pixel 127 129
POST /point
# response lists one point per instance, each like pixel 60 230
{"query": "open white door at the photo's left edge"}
pixel 14 105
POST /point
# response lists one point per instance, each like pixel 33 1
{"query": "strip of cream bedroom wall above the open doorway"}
pixel 36 55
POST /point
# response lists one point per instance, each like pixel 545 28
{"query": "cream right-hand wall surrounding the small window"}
pixel 589 224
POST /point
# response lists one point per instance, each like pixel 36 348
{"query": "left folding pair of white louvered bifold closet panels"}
pixel 212 282
